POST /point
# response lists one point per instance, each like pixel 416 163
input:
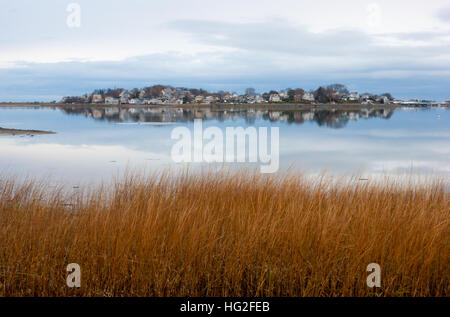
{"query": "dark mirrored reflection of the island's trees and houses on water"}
pixel 329 118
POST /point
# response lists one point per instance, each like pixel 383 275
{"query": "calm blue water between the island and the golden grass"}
pixel 93 144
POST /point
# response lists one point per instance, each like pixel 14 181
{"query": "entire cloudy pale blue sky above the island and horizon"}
pixel 54 48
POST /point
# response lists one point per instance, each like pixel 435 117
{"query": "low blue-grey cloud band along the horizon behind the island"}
pixel 220 70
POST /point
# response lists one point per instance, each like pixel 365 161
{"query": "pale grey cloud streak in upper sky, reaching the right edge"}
pixel 284 38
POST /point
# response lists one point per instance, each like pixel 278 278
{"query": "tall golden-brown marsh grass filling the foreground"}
pixel 225 235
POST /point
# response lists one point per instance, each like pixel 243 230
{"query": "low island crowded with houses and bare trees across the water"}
pixel 167 95
